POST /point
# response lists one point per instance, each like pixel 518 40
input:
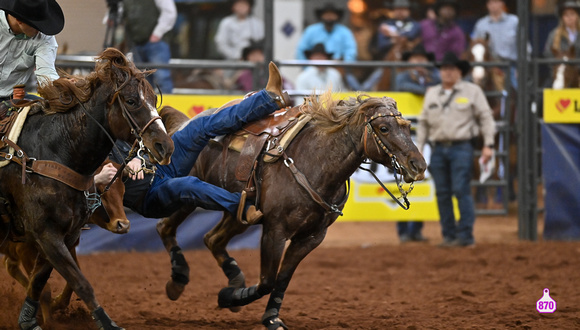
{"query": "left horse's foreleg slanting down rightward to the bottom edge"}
pixel 61 259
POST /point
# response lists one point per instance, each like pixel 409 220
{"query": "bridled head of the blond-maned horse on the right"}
pixel 387 138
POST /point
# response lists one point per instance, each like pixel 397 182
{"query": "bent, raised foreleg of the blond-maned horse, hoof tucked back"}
pixel 272 247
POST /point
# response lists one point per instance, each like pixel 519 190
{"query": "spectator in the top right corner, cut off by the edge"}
pixel 565 35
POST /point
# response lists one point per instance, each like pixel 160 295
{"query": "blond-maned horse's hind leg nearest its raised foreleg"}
pixel 216 241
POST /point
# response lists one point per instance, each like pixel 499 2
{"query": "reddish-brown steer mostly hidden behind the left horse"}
pixel 111 216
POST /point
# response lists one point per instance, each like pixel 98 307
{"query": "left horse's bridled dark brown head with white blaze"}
pixel 132 105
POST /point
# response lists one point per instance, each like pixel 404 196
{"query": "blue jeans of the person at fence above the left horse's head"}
pixel 156 52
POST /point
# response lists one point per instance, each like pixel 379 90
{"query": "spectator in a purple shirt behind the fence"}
pixel 443 34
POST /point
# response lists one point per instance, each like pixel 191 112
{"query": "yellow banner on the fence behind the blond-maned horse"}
pixel 367 200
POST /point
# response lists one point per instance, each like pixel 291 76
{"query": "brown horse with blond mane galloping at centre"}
pixel 327 151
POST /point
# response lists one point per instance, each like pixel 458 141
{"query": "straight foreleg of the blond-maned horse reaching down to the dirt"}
pixel 298 249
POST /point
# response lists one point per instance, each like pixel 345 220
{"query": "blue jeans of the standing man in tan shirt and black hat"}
pixel 451 168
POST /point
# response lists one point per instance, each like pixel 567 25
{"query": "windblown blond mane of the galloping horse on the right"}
pixel 332 116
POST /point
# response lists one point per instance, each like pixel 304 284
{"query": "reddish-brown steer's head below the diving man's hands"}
pixel 111 216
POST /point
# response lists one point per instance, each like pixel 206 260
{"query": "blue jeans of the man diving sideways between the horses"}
pixel 172 188
